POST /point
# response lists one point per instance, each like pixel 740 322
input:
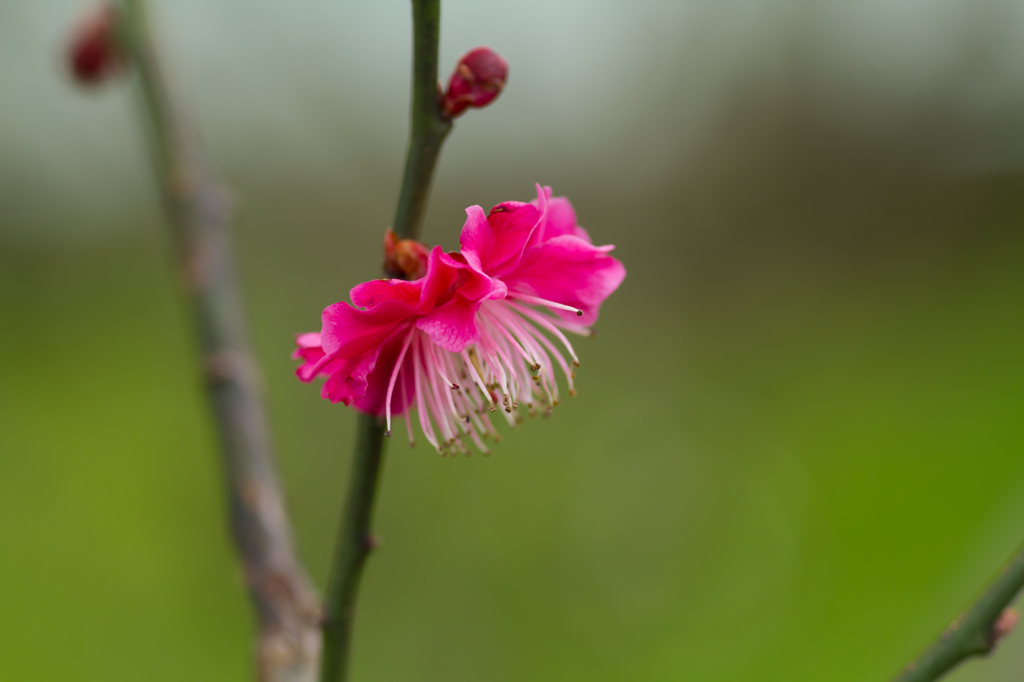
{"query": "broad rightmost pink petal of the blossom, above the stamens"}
pixel 570 271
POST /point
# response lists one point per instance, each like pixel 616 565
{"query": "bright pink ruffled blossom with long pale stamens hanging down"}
pixel 468 336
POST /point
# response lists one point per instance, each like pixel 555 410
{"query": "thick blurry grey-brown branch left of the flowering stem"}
pixel 286 605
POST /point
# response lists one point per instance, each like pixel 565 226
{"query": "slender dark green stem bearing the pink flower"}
pixel 428 133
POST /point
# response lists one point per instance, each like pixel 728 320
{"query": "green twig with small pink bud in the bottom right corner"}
pixel 975 632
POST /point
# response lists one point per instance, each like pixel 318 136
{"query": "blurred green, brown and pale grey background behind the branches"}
pixel 797 448
